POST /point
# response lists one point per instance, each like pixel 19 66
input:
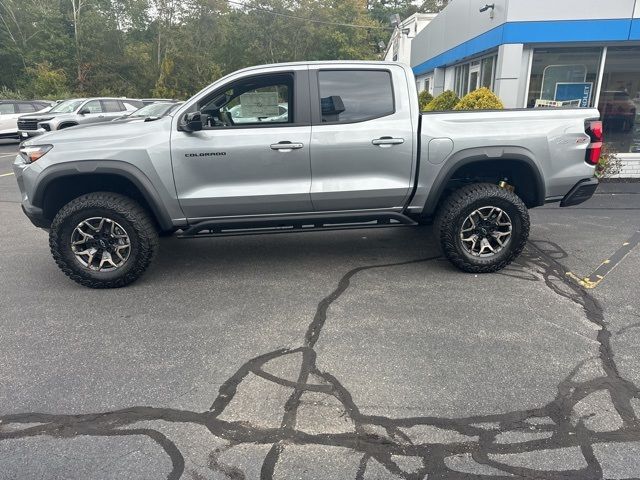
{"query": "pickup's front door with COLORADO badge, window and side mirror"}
pixel 252 155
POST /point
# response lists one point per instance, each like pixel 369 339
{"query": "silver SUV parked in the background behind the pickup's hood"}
pixel 79 111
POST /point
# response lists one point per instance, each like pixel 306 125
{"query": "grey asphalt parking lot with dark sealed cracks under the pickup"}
pixel 334 355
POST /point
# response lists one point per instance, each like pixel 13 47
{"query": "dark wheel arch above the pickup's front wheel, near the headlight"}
pixel 68 181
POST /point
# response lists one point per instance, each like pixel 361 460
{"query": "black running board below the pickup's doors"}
pixel 293 224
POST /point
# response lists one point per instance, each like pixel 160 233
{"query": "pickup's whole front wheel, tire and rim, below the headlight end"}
pixel 103 240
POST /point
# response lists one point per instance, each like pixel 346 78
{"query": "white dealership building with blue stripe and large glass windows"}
pixel 535 53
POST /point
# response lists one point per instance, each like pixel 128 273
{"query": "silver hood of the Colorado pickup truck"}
pixel 108 133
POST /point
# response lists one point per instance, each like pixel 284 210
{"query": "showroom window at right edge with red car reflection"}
pixel 619 102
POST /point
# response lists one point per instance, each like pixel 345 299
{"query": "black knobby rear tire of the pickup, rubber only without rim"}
pixel 459 205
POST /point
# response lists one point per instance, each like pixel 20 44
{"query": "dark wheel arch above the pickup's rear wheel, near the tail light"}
pixel 476 167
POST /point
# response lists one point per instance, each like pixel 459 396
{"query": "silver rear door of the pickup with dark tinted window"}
pixel 362 138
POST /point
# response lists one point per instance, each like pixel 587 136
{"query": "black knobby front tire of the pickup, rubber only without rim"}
pixel 131 216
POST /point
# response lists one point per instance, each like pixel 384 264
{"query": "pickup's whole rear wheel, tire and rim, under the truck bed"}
pixel 482 227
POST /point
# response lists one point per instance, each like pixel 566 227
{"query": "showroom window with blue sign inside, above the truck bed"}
pixel 564 77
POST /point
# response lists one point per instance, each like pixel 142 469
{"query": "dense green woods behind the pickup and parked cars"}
pixel 136 47
